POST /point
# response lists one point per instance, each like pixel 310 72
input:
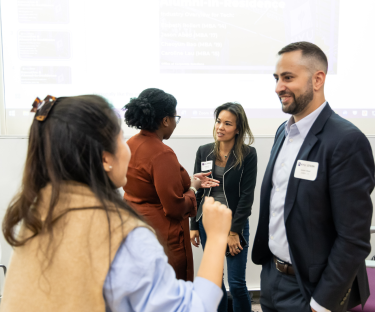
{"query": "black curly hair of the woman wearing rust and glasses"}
pixel 147 111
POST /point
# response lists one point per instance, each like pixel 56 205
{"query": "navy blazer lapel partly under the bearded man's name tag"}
pixel 303 154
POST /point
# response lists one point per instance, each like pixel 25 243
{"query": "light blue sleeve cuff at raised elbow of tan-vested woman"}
pixel 208 292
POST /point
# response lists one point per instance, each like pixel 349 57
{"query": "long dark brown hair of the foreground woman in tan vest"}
pixel 67 146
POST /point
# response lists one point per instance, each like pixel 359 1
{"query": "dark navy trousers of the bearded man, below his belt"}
pixel 280 292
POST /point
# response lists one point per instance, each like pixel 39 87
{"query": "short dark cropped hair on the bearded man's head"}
pixel 308 49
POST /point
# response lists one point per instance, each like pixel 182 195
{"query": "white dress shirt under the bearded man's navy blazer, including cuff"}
pixel 295 134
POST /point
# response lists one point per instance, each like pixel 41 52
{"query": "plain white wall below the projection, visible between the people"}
pixel 12 158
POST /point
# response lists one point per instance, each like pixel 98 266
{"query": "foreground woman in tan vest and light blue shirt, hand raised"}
pixel 80 247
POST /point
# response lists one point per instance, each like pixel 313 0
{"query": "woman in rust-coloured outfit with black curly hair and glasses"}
pixel 158 187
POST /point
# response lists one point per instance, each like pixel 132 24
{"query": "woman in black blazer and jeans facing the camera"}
pixel 234 164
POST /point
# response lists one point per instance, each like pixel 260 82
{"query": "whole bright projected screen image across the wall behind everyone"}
pixel 204 52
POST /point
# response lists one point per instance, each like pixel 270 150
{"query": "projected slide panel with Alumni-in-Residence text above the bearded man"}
pixel 234 36
